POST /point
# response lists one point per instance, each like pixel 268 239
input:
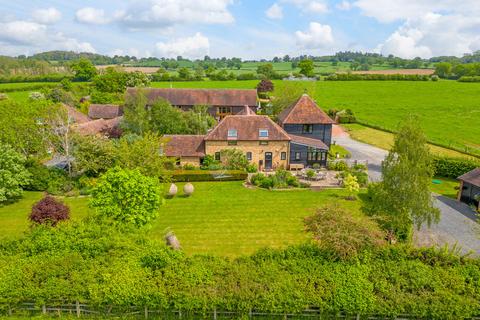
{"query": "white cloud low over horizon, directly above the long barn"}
pixel 193 47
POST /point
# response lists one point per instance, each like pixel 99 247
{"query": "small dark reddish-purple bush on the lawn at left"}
pixel 49 211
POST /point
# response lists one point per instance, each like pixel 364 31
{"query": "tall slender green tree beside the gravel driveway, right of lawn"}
pixel 403 198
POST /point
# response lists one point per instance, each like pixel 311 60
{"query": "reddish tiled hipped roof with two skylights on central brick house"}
pixel 247 127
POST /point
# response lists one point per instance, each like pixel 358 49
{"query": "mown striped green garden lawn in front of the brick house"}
pixel 221 218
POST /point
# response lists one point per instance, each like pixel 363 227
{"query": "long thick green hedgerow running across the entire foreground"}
pixel 97 264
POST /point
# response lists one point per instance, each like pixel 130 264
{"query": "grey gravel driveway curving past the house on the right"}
pixel 459 225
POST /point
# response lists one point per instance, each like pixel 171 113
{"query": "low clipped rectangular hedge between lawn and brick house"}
pixel 207 175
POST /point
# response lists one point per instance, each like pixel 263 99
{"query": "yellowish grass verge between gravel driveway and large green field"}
pixel 384 140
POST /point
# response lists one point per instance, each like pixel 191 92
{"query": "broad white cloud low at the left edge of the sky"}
pixel 19 37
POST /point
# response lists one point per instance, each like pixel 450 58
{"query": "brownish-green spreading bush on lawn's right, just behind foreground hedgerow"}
pixel 336 230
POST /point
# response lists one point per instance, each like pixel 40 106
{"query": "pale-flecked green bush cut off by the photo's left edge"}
pixel 13 175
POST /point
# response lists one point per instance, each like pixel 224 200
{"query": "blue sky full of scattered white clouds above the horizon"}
pixel 247 29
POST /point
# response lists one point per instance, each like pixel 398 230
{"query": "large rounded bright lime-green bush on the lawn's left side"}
pixel 127 197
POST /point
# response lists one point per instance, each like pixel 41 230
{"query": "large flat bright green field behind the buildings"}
pixel 448 110
